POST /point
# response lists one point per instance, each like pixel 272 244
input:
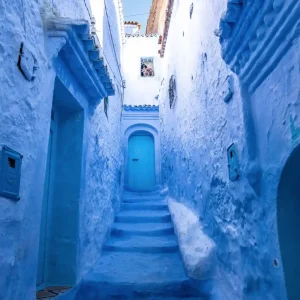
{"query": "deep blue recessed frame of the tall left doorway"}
pixel 69 115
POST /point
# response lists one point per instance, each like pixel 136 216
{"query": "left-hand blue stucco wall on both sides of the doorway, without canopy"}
pixel 25 113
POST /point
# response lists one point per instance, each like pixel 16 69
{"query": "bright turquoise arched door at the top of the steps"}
pixel 141 162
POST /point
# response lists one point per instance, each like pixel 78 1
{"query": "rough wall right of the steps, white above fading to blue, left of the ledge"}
pixel 196 133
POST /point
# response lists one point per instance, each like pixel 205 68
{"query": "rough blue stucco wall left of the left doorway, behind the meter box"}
pixel 25 117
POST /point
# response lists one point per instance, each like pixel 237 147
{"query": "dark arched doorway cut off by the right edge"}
pixel 288 218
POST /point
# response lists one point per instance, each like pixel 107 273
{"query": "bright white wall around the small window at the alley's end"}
pixel 141 90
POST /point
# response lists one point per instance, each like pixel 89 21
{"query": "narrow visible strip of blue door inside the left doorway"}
pixel 45 205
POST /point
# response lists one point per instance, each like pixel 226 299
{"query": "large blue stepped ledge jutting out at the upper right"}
pixel 255 35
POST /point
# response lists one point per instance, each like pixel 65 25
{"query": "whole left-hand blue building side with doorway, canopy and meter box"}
pixel 55 74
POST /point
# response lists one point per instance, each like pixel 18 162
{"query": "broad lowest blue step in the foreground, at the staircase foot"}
pixel 139 276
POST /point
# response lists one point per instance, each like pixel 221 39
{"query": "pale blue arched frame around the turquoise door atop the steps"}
pixel 154 132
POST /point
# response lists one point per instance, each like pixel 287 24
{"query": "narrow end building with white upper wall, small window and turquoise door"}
pixel 140 118
